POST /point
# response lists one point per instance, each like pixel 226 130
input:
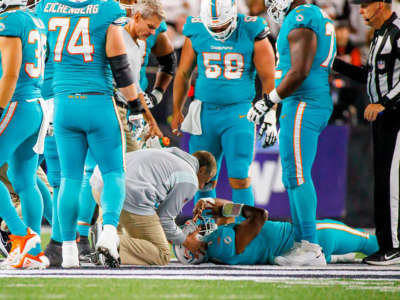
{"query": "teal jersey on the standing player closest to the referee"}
pixel 315 88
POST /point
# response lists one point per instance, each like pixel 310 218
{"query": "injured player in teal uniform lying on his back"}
pixel 259 241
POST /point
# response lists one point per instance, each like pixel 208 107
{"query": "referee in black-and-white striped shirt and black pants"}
pixel 382 76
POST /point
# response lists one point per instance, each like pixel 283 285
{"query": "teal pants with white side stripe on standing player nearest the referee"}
pixel 301 124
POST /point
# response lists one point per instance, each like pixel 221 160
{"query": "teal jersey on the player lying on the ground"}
pixel 274 239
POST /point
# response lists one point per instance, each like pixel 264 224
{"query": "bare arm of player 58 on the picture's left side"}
pixel 181 83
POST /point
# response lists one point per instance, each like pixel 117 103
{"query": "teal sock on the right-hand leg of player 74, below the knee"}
pixel 113 197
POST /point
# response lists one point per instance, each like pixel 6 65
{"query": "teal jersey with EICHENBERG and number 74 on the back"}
pixel 77 40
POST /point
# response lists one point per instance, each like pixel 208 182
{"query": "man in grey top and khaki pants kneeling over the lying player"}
pixel 158 183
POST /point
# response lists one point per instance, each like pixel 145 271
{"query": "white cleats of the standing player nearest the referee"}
pixel 302 254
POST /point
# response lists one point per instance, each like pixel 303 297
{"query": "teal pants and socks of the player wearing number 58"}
pixel 227 133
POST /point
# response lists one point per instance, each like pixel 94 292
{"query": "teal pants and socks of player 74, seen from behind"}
pixel 83 122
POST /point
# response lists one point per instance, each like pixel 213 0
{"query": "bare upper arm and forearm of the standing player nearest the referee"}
pixel 303 46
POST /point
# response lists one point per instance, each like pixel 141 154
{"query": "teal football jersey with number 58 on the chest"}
pixel 226 72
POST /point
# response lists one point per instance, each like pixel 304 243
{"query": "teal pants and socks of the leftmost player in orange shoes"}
pixel 19 127
